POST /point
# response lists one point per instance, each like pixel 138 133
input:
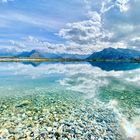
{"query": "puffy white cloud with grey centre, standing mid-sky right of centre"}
pixel 85 32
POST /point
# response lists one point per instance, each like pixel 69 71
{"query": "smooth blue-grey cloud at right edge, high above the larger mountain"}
pixel 124 25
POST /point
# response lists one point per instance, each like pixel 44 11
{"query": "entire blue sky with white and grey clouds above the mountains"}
pixel 69 26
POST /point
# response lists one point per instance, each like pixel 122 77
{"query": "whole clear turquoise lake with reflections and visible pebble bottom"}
pixel 70 101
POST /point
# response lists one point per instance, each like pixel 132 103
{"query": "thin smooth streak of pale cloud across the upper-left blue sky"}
pixel 9 18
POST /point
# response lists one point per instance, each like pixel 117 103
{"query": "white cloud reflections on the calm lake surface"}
pixel 77 77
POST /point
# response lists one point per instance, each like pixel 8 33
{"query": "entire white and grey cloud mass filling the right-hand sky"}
pixel 109 23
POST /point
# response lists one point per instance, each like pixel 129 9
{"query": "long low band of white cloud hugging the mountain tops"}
pixel 30 43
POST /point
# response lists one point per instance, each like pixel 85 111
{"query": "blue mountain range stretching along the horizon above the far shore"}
pixel 105 54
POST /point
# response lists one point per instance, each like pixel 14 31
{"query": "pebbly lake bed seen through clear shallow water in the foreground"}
pixel 70 118
